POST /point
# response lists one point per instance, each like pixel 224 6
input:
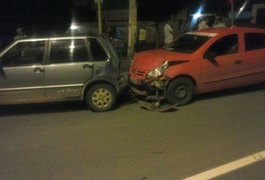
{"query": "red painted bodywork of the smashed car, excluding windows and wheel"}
pixel 230 70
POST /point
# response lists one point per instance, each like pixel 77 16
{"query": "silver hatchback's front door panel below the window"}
pixel 28 88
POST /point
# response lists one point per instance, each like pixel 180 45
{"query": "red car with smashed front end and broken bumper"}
pixel 199 62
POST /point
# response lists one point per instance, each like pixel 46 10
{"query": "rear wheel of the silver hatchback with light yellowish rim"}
pixel 101 97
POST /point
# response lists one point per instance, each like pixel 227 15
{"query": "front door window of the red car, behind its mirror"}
pixel 225 45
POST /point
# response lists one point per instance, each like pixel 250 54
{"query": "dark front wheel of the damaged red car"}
pixel 180 91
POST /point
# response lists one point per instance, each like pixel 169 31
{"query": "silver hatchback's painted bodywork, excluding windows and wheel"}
pixel 48 82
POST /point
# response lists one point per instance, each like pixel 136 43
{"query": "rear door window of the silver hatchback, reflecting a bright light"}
pixel 65 51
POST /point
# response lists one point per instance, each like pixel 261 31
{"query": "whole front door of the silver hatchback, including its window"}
pixel 22 73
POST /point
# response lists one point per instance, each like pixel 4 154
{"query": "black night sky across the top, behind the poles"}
pixel 48 14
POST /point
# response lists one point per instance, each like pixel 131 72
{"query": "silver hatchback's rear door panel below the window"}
pixel 66 80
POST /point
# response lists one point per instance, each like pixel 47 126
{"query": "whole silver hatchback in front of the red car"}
pixel 65 68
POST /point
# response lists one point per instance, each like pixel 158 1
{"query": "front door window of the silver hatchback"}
pixel 23 54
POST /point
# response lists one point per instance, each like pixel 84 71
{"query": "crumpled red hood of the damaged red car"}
pixel 149 60
